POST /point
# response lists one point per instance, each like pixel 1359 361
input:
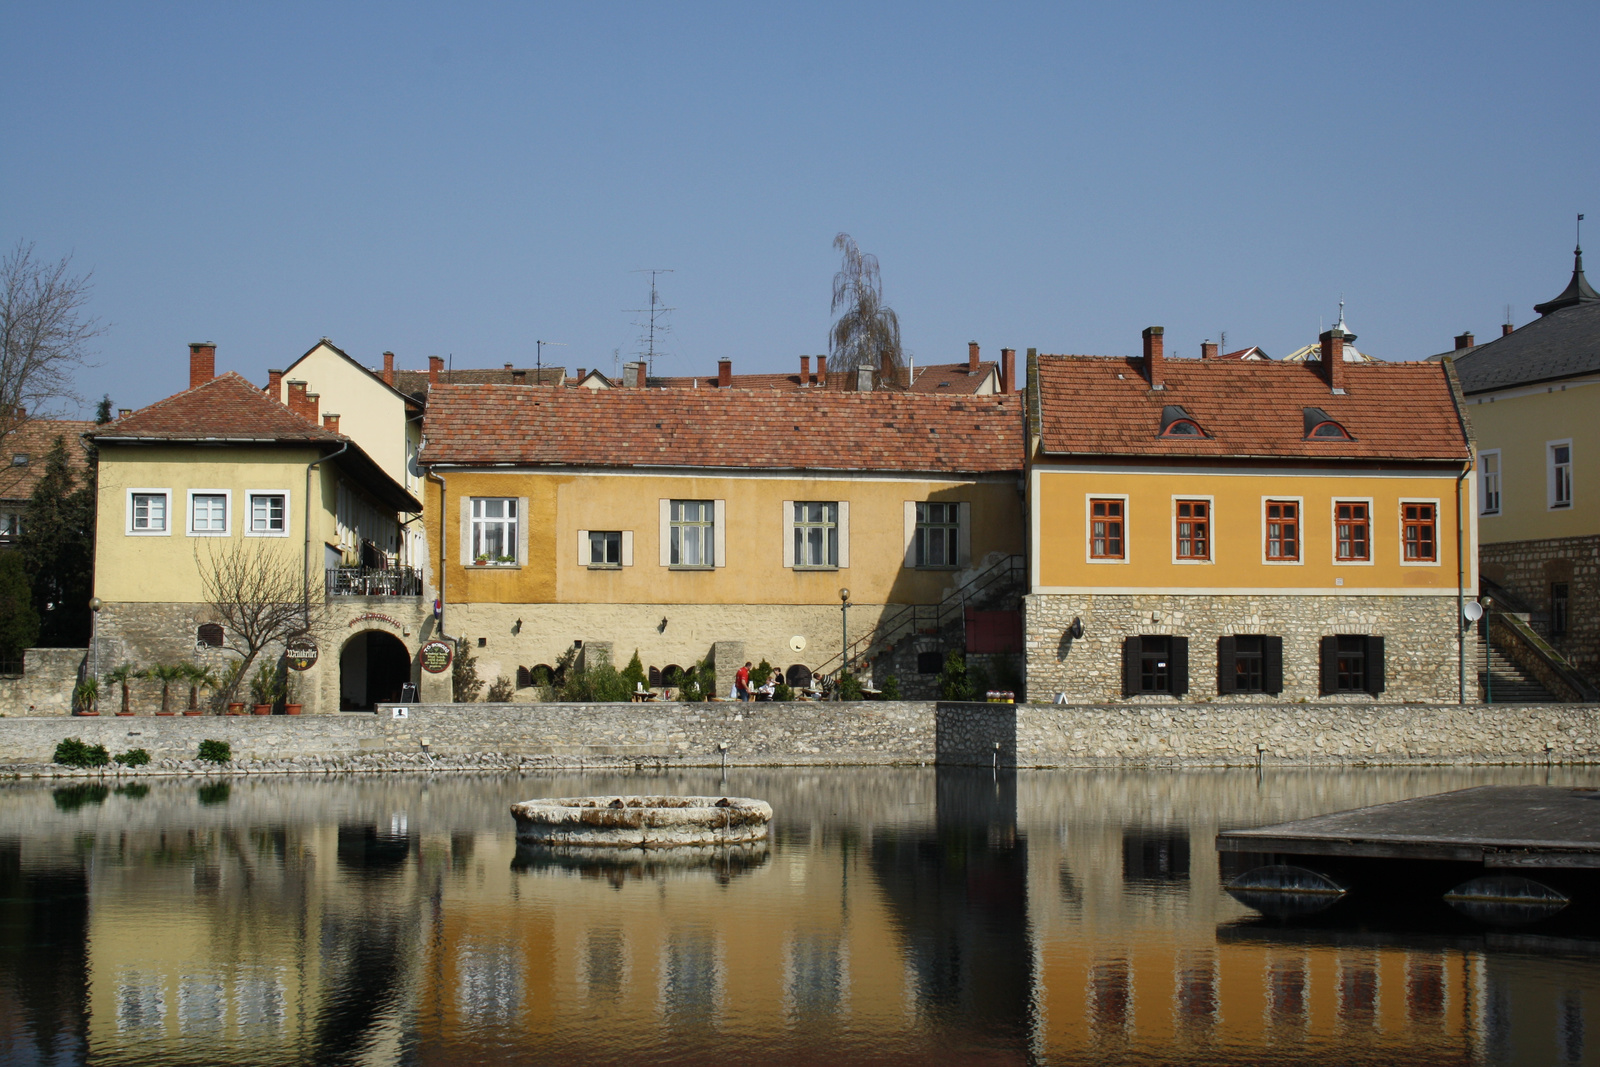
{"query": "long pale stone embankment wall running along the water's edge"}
pixel 548 737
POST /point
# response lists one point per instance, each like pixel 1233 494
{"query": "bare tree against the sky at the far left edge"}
pixel 44 334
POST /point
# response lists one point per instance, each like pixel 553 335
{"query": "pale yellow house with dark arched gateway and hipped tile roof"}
pixel 223 476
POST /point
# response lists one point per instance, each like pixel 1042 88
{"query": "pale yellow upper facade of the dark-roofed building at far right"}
pixel 1516 428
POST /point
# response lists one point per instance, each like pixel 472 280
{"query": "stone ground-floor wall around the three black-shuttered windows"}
pixel 1420 644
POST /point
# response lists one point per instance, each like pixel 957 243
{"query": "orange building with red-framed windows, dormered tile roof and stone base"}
pixel 1247 530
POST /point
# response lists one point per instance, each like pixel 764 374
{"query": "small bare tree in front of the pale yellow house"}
pixel 255 593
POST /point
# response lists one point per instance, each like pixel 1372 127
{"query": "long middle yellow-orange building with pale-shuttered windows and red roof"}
pixel 676 521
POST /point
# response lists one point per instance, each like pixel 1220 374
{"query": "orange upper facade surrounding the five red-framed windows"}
pixel 1238 554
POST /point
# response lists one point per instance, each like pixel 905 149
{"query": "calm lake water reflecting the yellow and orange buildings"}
pixel 900 916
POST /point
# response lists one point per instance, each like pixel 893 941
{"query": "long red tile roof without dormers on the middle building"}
pixel 722 428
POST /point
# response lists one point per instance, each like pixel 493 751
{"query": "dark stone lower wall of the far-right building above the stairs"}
pixel 1529 569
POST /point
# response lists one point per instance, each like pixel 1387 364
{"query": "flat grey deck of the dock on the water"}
pixel 1497 826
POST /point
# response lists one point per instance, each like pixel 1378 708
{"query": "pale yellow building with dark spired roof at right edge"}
pixel 1534 398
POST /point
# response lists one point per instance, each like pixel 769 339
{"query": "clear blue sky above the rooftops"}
pixel 463 180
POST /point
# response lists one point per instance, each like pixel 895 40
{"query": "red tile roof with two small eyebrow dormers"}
pixel 1105 406
